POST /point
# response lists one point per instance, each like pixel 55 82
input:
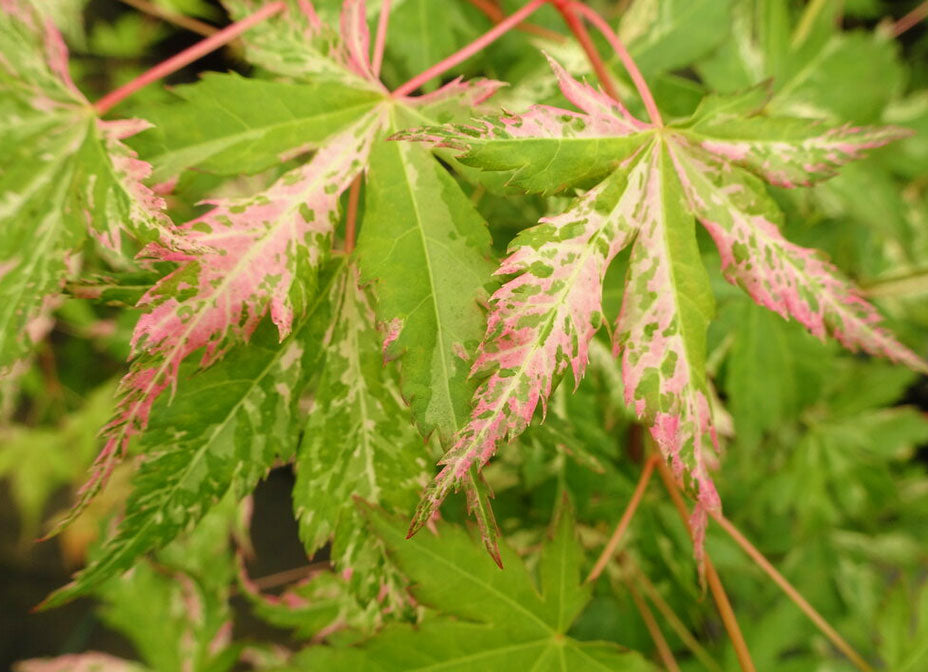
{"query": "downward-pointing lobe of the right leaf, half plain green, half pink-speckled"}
pixel 660 332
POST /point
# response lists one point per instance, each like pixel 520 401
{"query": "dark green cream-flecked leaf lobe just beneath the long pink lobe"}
pixel 223 431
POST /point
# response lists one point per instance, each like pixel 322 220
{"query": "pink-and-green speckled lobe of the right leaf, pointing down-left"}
pixel 541 324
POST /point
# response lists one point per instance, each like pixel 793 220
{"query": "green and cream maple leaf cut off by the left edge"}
pixel 64 174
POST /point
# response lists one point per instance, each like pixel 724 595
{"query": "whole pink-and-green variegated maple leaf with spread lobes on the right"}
pixel 648 182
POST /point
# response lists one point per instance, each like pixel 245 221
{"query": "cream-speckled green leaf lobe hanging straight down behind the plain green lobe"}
pixel 356 445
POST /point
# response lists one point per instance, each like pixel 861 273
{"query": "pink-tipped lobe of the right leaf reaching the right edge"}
pixel 793 281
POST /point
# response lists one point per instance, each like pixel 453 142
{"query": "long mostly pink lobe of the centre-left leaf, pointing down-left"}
pixel 242 260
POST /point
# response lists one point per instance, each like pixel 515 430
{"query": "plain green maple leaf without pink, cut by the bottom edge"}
pixel 506 622
